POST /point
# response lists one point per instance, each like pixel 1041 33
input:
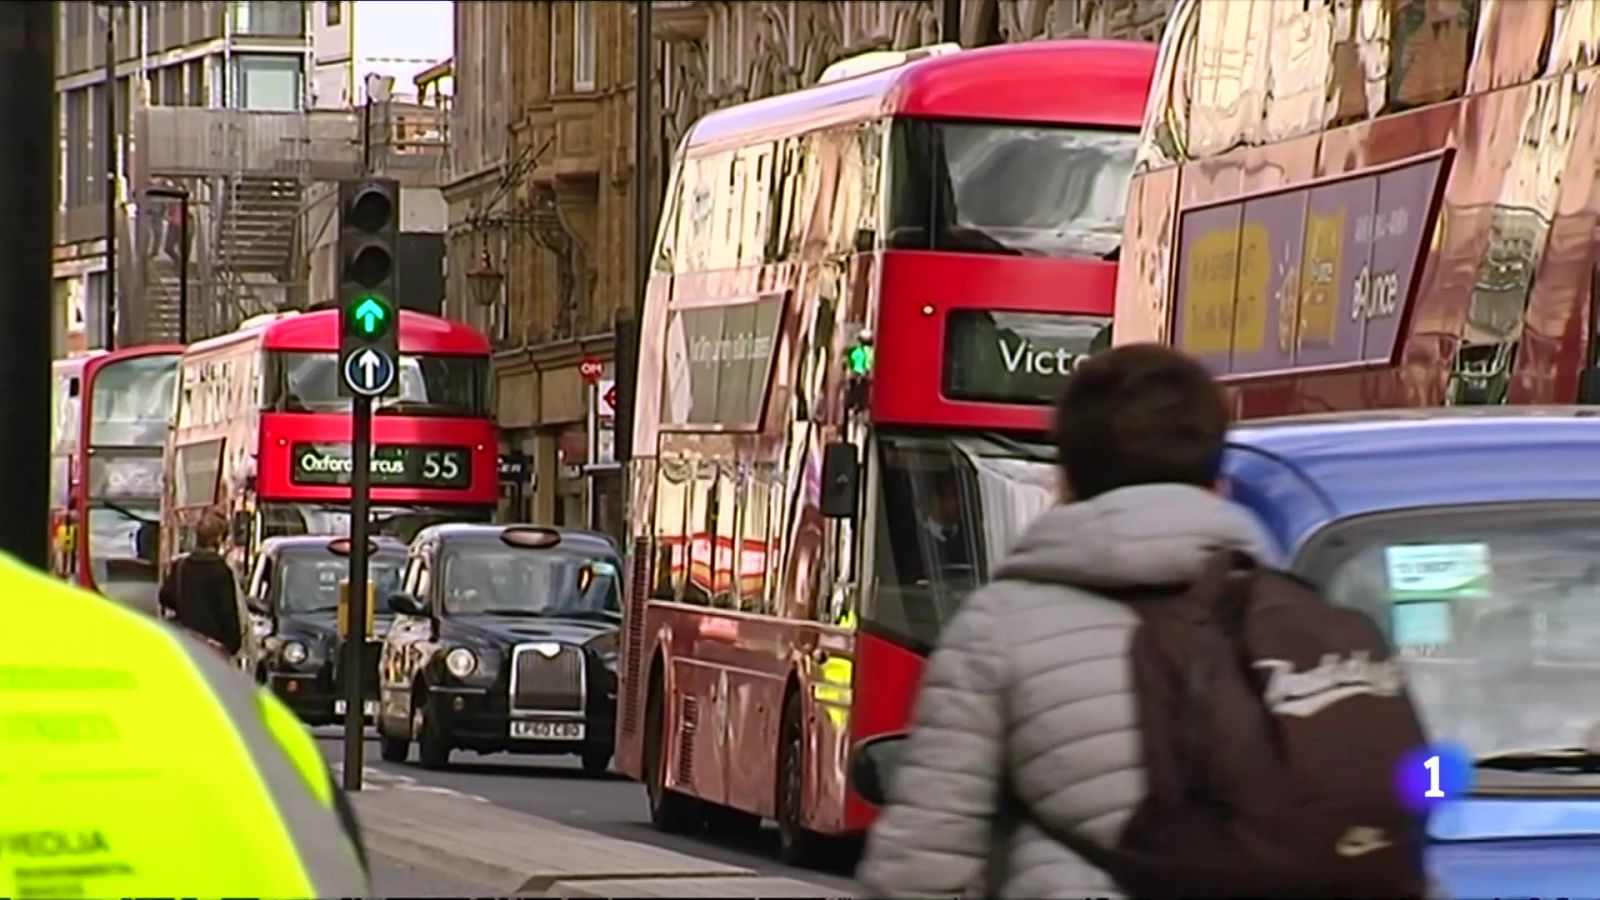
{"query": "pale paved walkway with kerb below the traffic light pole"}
pixel 518 854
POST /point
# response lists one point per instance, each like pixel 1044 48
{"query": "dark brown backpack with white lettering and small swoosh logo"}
pixel 1273 728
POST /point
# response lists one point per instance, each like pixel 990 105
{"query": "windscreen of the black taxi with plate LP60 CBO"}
pixel 492 579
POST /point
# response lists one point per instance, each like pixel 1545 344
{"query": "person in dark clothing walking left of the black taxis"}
pixel 201 592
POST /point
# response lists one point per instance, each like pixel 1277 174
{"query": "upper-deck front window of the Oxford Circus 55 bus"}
pixel 430 385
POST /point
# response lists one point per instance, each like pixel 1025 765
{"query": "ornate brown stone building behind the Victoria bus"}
pixel 542 204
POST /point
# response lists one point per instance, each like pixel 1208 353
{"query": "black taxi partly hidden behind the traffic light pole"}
pixel 294 603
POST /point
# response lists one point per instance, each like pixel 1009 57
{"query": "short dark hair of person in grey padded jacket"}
pixel 1140 414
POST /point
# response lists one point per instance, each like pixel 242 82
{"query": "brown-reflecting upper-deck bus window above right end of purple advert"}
pixel 1430 49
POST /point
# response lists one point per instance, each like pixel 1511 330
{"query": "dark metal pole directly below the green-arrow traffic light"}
pixel 356 635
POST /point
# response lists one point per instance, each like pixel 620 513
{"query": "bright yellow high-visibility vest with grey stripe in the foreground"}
pixel 137 763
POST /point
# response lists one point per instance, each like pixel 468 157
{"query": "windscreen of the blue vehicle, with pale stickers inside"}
pixel 1494 609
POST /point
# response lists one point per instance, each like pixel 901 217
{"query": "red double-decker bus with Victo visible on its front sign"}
pixel 865 300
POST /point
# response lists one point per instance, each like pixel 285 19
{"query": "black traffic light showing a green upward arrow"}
pixel 370 319
